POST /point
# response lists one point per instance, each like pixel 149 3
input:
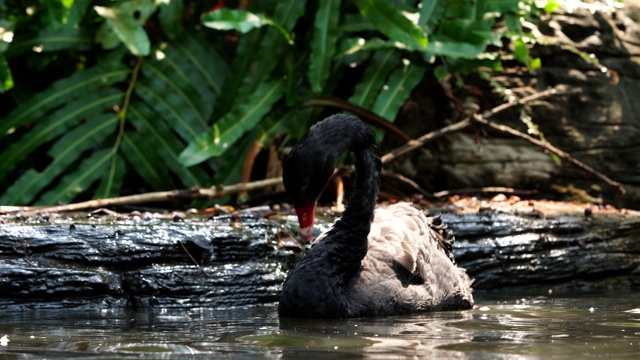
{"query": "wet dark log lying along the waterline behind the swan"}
pixel 113 263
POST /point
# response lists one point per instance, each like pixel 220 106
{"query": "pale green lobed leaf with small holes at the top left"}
pixel 126 19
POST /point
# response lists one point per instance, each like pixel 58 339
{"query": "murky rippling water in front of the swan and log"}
pixel 508 325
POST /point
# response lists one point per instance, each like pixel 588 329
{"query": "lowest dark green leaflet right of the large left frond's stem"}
pixel 147 164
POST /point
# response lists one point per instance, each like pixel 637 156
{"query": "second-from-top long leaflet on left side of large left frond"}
pixel 58 123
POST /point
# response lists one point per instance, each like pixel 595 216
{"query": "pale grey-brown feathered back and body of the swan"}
pixel 408 267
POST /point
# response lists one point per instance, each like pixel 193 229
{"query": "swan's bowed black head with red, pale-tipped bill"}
pixel 306 172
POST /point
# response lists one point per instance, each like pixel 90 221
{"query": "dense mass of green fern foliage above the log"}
pixel 98 96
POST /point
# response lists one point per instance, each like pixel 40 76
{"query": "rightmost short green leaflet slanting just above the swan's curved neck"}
pixel 398 89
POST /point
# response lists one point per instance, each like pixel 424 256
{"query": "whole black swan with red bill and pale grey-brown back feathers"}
pixel 395 260
